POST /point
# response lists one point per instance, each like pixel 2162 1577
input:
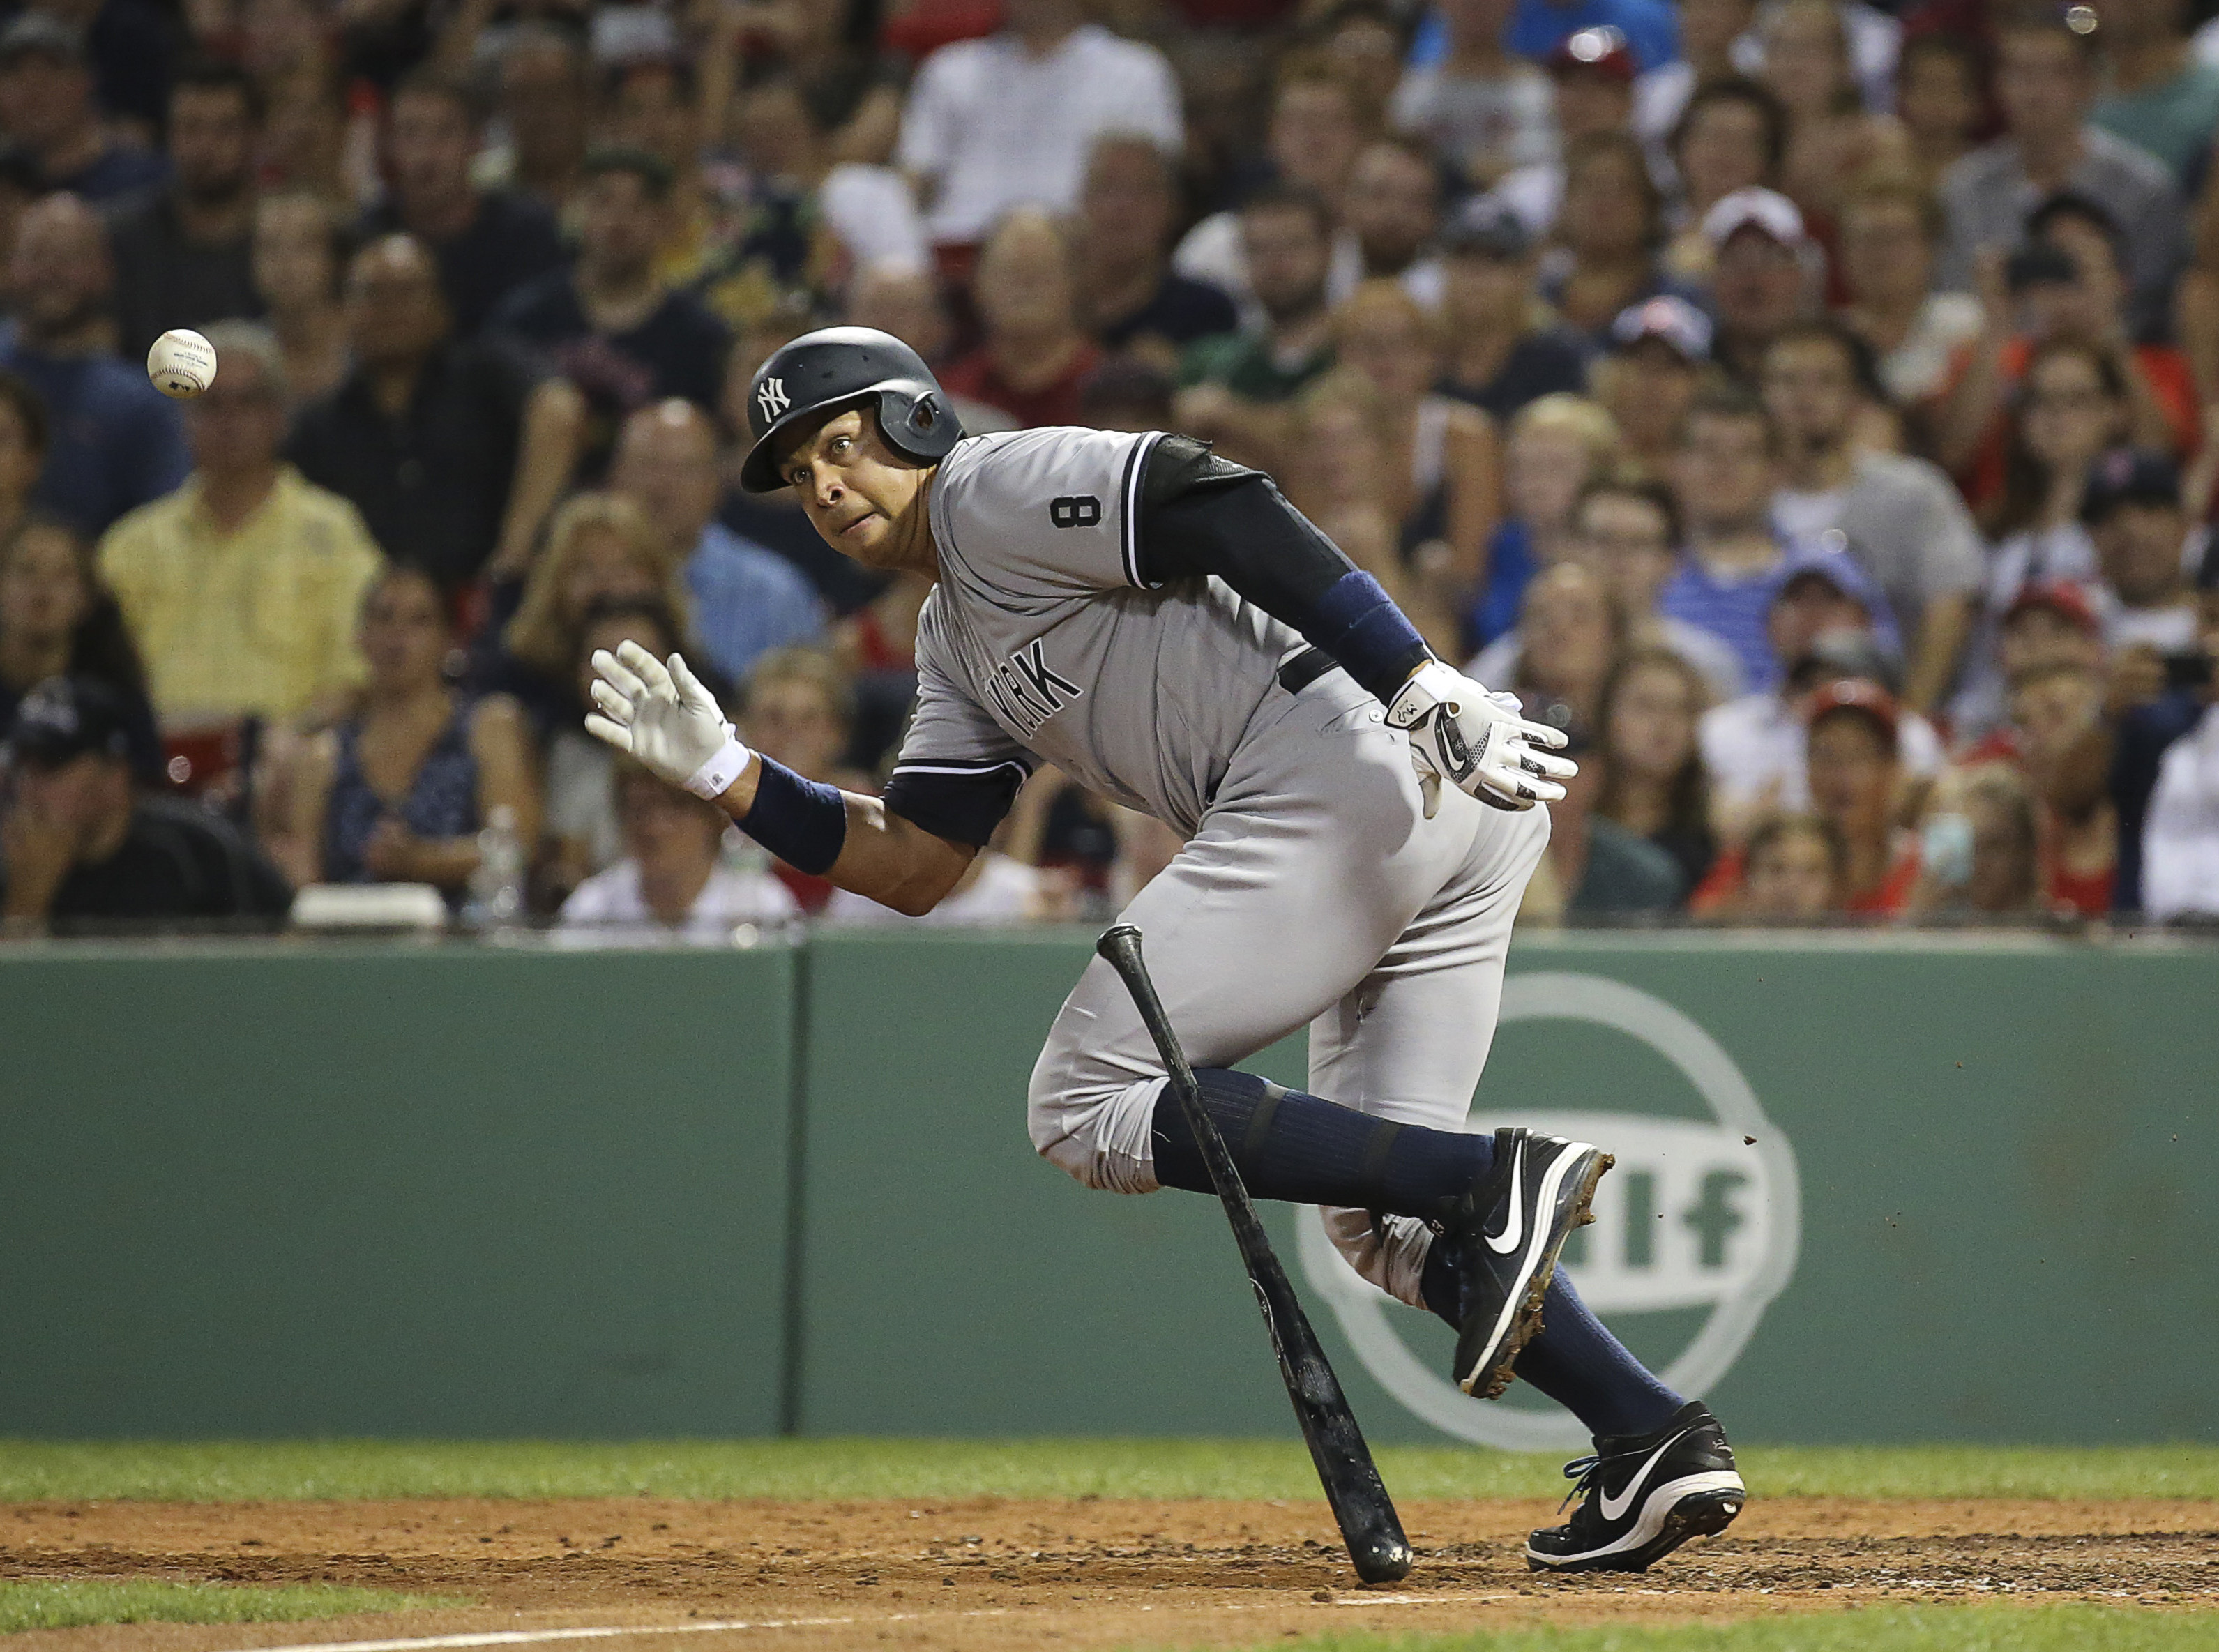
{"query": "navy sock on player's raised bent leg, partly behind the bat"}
pixel 1310 1152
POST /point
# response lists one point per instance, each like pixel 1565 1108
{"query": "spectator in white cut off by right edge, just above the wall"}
pixel 2178 864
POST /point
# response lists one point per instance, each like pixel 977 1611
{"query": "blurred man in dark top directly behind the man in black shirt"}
pixel 487 243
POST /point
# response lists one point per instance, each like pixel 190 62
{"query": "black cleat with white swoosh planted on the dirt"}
pixel 1645 1496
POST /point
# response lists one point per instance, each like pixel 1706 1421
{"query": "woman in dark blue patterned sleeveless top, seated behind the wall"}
pixel 401 788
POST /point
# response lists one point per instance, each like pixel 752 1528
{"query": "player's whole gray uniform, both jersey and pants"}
pixel 1321 886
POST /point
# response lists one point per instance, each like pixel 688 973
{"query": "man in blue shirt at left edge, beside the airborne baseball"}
pixel 114 440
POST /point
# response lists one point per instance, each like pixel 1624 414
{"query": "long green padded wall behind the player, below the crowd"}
pixel 1867 1192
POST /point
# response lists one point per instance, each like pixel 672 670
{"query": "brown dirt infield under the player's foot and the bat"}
pixel 1002 1575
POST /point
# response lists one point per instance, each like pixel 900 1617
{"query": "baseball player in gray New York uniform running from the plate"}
pixel 1361 822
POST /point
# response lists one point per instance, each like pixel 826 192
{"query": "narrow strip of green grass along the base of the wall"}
pixel 871 1469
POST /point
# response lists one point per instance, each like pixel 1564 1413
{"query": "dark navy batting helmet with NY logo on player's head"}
pixel 847 367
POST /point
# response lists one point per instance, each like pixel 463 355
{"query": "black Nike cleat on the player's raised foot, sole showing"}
pixel 1503 1238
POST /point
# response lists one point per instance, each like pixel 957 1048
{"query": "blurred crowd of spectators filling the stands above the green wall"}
pixel 1812 407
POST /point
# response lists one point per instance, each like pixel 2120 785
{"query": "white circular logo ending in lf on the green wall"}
pixel 1734 1221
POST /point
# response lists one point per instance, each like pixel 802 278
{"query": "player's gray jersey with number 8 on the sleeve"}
pixel 1044 644
